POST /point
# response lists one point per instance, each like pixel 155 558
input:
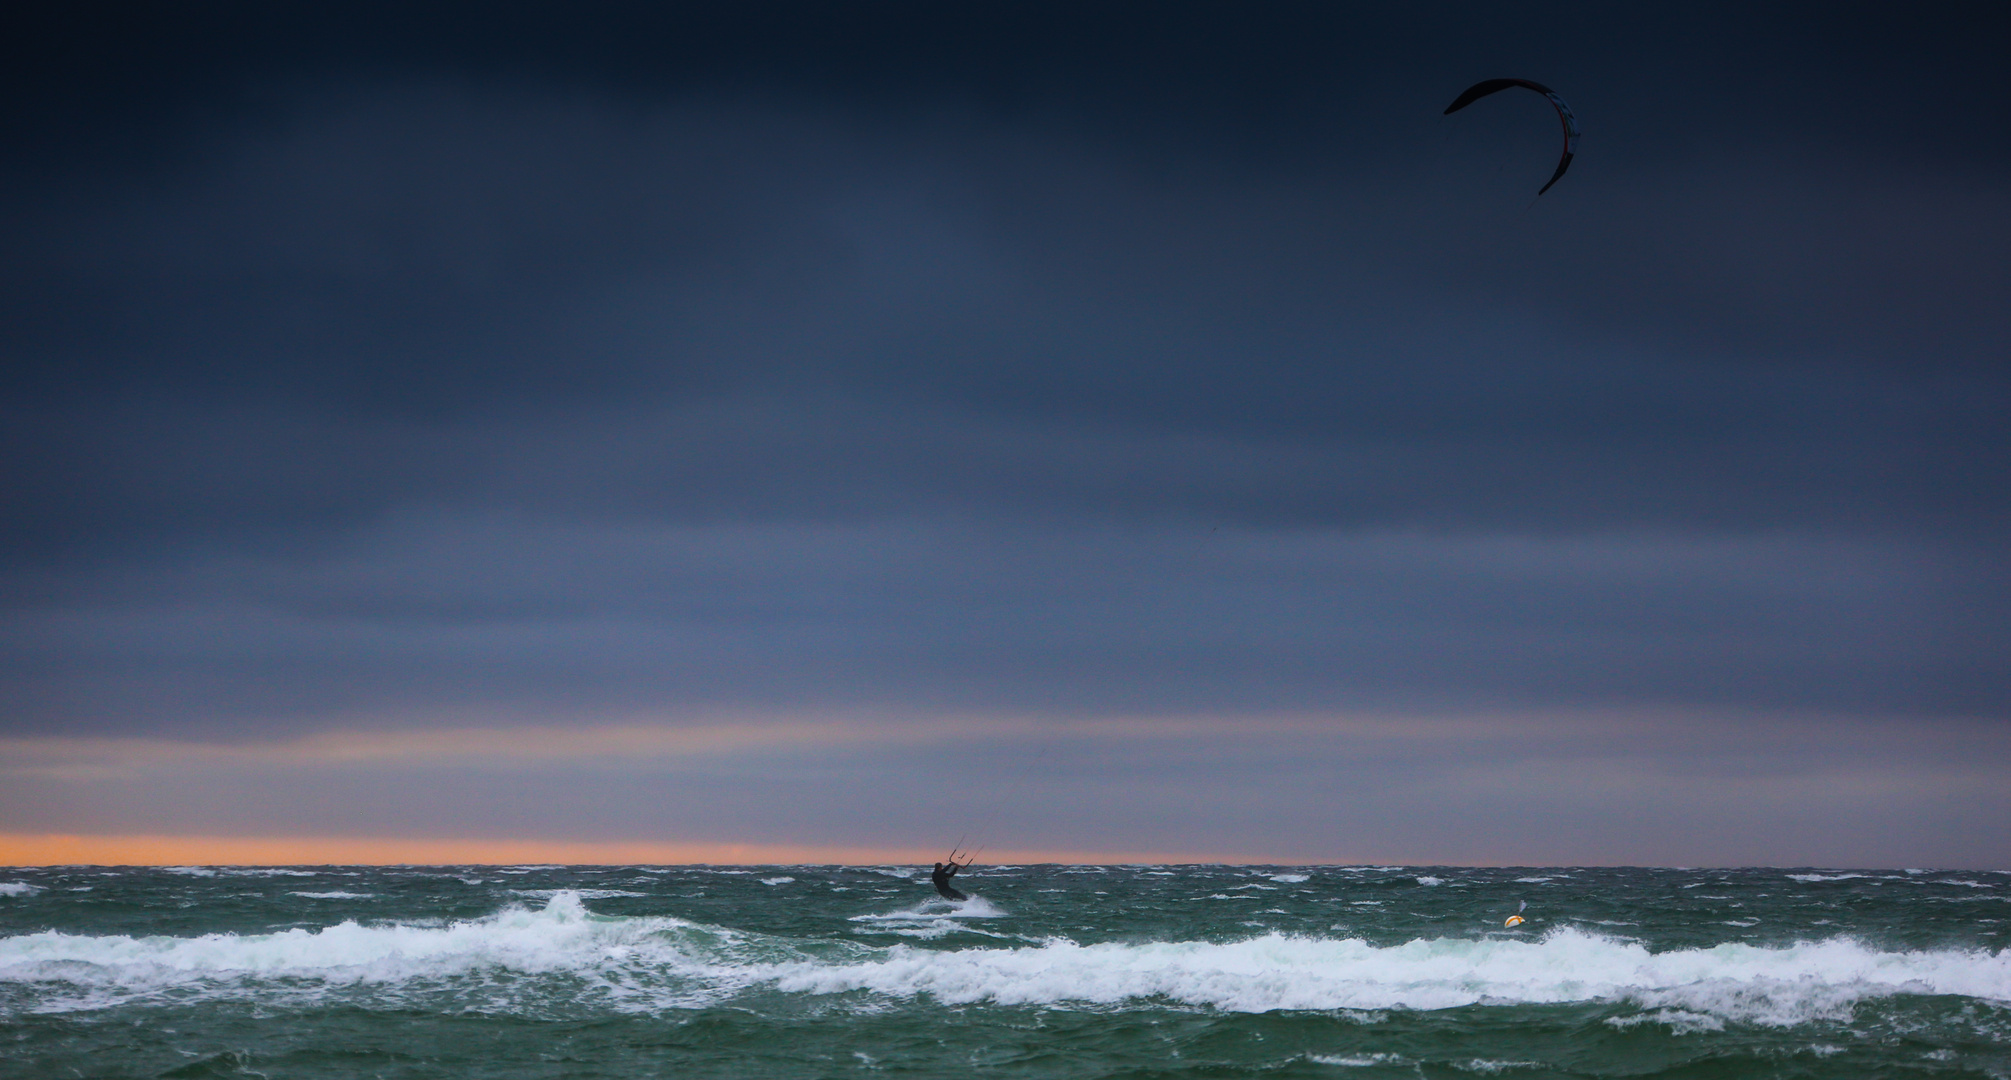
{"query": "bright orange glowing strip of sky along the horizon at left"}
pixel 19 850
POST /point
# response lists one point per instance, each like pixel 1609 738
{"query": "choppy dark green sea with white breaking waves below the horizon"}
pixel 1049 972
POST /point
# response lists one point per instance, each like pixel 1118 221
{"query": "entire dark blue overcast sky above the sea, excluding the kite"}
pixel 1097 427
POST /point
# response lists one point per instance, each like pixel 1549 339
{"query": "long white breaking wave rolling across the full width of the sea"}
pixel 532 960
